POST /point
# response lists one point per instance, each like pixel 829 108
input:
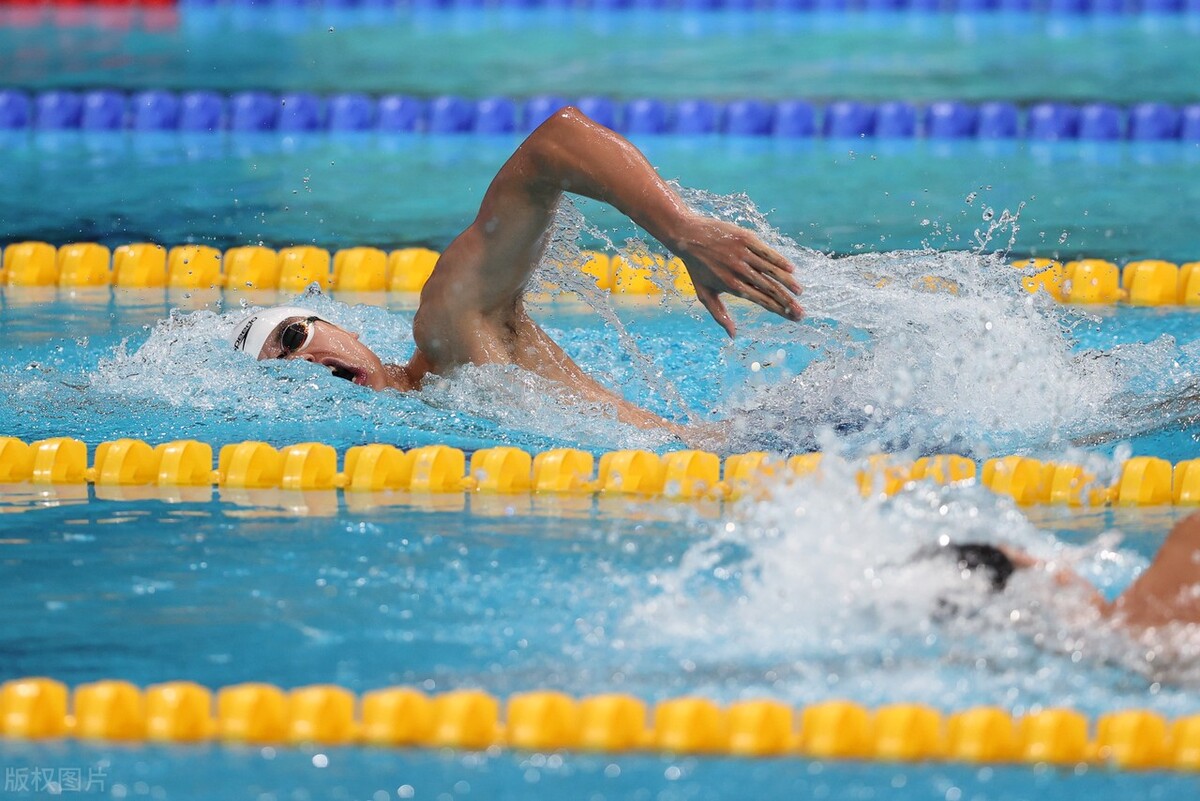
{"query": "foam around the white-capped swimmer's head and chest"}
pixel 187 365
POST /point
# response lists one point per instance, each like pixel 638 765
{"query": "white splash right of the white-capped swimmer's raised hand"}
pixel 943 351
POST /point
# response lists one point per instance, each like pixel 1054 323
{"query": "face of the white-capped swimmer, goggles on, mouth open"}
pixel 332 347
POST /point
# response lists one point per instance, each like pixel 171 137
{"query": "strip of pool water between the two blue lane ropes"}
pixel 628 55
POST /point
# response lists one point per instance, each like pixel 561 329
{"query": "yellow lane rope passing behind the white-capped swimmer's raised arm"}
pixel 146 266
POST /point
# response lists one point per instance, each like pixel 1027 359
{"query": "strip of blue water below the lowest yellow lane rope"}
pixel 379 775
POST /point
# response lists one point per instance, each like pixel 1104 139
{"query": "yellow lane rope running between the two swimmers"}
pixel 677 475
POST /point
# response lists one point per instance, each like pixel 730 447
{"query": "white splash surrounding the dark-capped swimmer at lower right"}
pixel 817 592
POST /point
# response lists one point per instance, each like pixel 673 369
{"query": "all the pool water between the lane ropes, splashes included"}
pixel 803 595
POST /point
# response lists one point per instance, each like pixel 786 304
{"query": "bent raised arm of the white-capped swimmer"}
pixel 490 263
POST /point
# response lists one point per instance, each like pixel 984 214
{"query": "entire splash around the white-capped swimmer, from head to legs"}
pixel 905 351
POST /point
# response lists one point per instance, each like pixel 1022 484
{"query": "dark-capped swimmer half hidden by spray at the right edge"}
pixel 1166 593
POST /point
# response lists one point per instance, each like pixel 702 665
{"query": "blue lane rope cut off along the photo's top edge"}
pixel 819 7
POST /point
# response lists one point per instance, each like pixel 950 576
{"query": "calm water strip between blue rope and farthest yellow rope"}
pixel 1118 201
